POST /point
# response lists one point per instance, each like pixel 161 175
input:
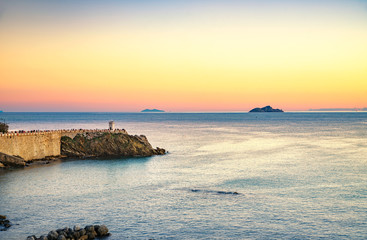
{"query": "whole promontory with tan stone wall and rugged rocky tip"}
pixel 19 149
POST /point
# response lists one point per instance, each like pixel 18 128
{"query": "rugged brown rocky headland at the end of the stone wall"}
pixel 107 144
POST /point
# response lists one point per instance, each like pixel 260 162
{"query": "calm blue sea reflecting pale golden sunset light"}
pixel 297 175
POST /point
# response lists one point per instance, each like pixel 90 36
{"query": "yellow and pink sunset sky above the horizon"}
pixel 189 55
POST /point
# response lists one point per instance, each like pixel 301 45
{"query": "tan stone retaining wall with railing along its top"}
pixel 38 145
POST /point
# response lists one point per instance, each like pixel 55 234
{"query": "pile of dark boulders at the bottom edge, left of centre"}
pixel 76 233
